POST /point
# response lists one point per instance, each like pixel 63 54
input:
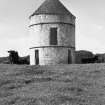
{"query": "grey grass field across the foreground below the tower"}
pixel 52 85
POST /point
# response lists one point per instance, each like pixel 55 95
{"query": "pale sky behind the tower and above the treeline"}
pixel 14 22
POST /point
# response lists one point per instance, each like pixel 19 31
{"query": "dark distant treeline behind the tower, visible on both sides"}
pixel 81 57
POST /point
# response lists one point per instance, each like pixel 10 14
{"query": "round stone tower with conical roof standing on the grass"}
pixel 52 30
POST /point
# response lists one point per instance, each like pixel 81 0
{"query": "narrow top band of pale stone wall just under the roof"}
pixel 43 18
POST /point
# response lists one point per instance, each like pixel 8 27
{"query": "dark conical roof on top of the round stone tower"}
pixel 52 7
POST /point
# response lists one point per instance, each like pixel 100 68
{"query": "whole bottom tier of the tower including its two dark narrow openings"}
pixel 52 55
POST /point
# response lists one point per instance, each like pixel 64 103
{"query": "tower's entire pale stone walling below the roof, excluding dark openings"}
pixel 40 25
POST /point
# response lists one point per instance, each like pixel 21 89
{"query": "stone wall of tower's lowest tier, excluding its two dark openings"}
pixel 52 55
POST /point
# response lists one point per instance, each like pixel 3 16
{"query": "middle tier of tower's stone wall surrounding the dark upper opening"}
pixel 40 35
